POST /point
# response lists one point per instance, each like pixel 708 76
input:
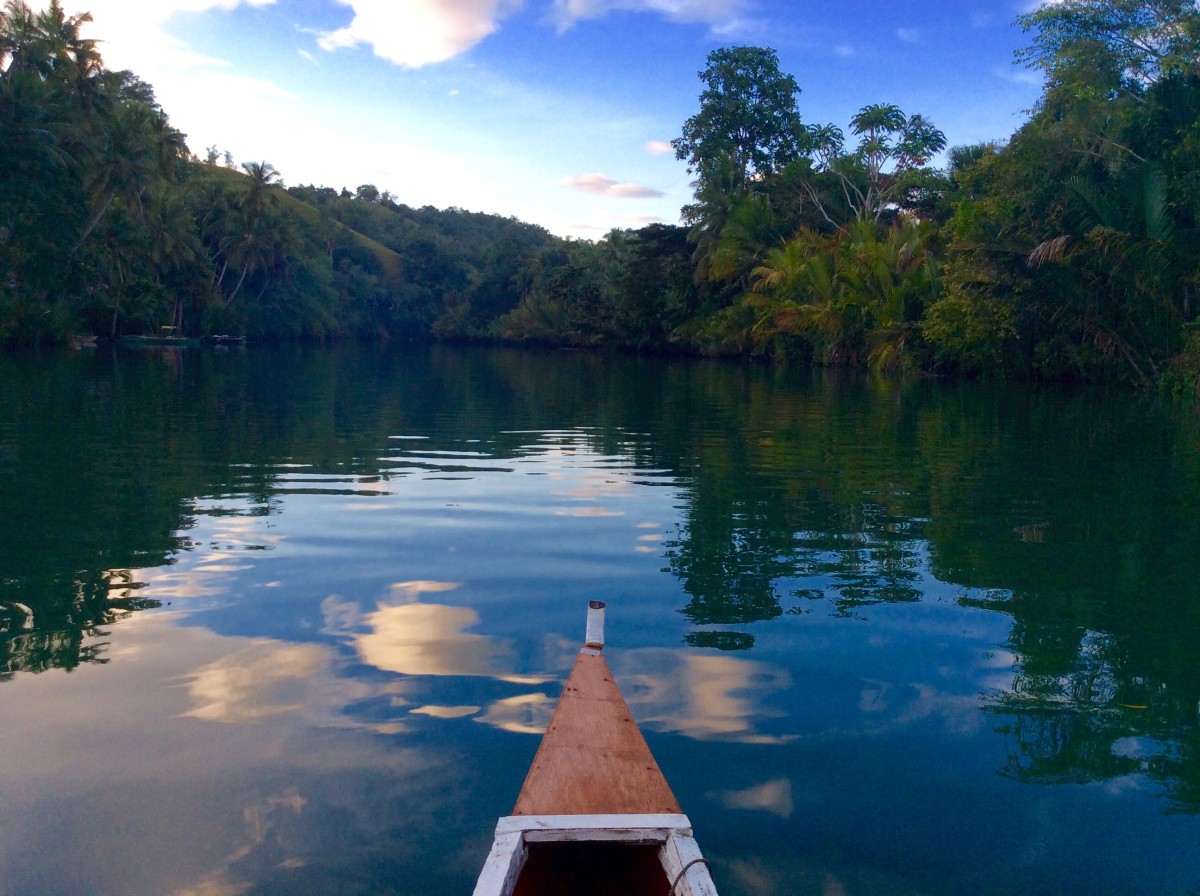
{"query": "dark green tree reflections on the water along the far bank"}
pixel 1072 515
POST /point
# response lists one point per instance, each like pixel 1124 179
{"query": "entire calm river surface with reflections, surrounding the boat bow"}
pixel 291 623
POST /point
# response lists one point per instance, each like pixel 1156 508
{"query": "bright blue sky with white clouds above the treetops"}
pixel 556 112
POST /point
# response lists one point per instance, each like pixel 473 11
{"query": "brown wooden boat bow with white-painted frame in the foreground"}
pixel 596 815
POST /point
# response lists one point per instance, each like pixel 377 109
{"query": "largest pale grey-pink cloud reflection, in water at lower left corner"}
pixel 133 789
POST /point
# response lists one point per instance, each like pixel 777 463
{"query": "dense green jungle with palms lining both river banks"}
pixel 1070 251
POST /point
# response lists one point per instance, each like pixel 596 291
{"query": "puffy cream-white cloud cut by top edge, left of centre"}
pixel 419 33
